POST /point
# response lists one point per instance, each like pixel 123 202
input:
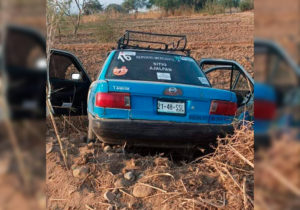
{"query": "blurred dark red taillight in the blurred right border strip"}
pixel 264 110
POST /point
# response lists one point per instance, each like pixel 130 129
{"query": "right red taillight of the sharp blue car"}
pixel 223 108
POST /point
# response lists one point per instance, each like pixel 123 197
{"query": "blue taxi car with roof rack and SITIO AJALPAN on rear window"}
pixel 160 97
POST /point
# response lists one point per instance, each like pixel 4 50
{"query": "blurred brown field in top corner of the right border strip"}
pixel 279 23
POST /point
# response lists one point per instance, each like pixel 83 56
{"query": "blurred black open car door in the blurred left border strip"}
pixel 23 72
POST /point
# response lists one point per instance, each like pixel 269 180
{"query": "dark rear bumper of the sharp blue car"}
pixel 157 133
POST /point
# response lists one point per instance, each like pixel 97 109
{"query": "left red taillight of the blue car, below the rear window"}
pixel 113 100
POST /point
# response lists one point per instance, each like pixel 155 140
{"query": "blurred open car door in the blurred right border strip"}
pixel 276 69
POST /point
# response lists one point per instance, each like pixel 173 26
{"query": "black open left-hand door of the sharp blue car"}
pixel 68 84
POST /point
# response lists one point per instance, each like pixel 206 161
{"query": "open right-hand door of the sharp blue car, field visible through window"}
pixel 229 75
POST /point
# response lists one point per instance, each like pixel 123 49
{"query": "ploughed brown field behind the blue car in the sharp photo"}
pixel 219 36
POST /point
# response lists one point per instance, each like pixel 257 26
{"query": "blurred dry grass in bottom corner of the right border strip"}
pixel 277 172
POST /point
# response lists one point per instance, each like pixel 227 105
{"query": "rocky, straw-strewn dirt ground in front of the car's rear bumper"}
pixel 103 177
